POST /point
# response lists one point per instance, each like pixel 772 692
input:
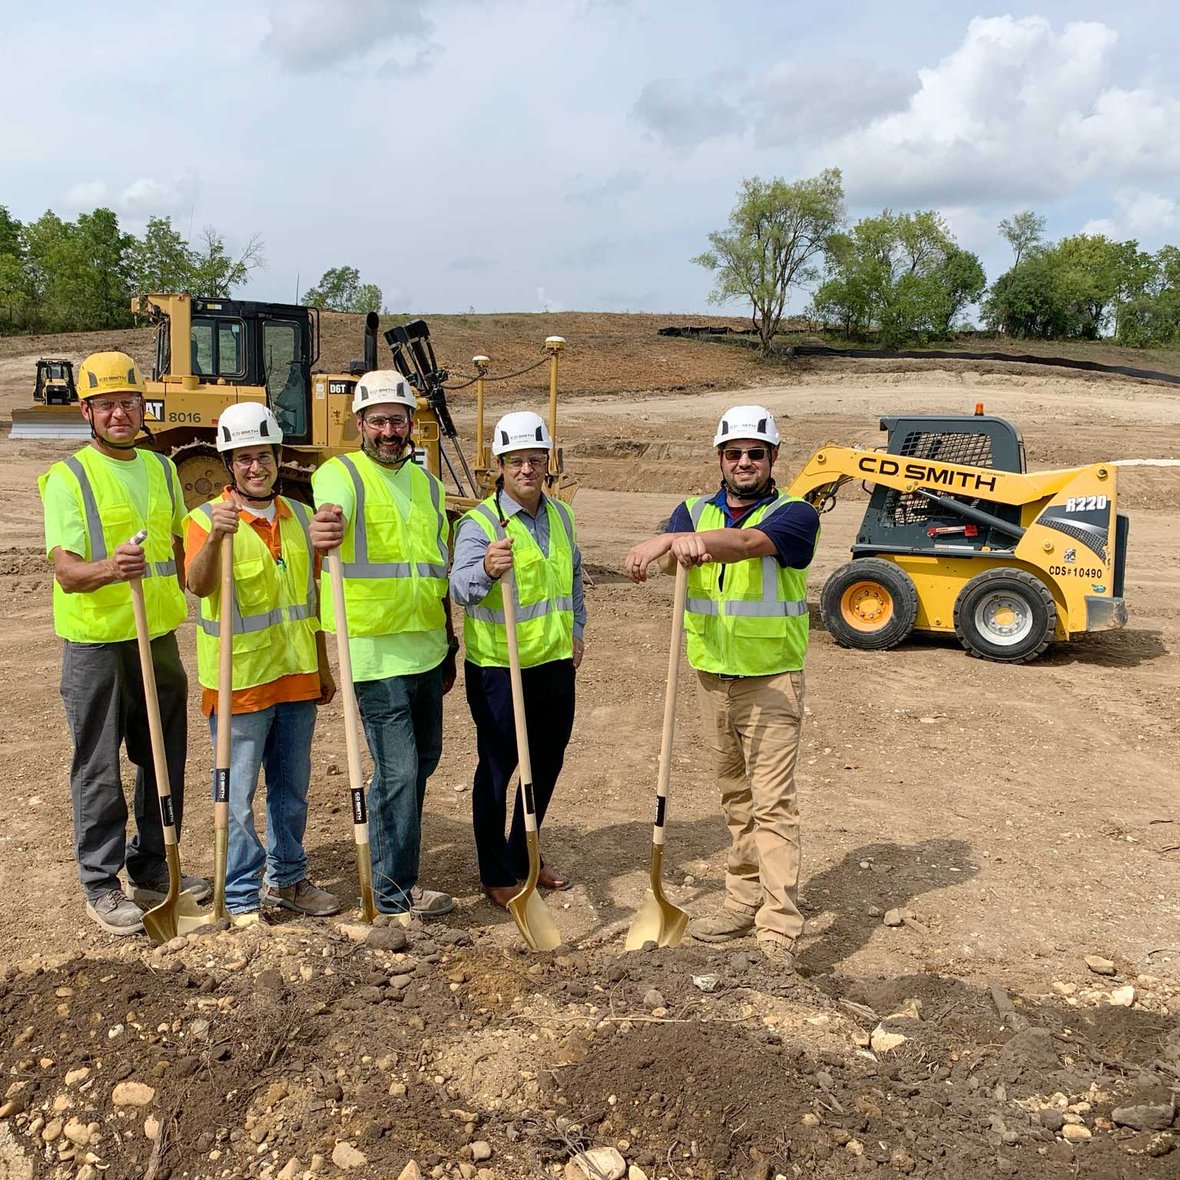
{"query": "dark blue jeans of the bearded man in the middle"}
pixel 403 718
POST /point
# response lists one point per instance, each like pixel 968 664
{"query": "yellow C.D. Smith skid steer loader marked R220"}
pixel 960 539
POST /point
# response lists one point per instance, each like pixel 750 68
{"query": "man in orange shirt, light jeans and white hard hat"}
pixel 280 663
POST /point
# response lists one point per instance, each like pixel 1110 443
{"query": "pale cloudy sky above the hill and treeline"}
pixel 574 155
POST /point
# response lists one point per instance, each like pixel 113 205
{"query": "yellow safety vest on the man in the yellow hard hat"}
pixel 110 519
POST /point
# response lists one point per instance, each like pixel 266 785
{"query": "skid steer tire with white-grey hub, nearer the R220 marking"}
pixel 1007 615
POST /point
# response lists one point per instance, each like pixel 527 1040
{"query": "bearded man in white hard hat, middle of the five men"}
pixel 388 517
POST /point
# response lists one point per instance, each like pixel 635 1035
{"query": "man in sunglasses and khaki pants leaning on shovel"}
pixel 748 549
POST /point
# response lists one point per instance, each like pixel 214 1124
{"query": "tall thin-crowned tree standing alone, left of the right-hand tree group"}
pixel 778 232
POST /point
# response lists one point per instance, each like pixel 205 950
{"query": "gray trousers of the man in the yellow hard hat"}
pixel 102 690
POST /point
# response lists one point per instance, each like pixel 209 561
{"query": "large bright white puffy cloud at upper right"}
pixel 1017 113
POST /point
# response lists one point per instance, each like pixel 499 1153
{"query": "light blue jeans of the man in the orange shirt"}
pixel 281 739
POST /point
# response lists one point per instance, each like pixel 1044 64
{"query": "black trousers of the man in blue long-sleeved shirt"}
pixel 549 713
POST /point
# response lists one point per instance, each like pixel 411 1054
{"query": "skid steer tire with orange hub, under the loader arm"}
pixel 869 605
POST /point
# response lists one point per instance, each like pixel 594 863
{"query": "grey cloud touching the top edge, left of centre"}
pixel 312 36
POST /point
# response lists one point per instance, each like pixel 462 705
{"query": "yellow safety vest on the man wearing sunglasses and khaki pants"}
pixel 745 619
